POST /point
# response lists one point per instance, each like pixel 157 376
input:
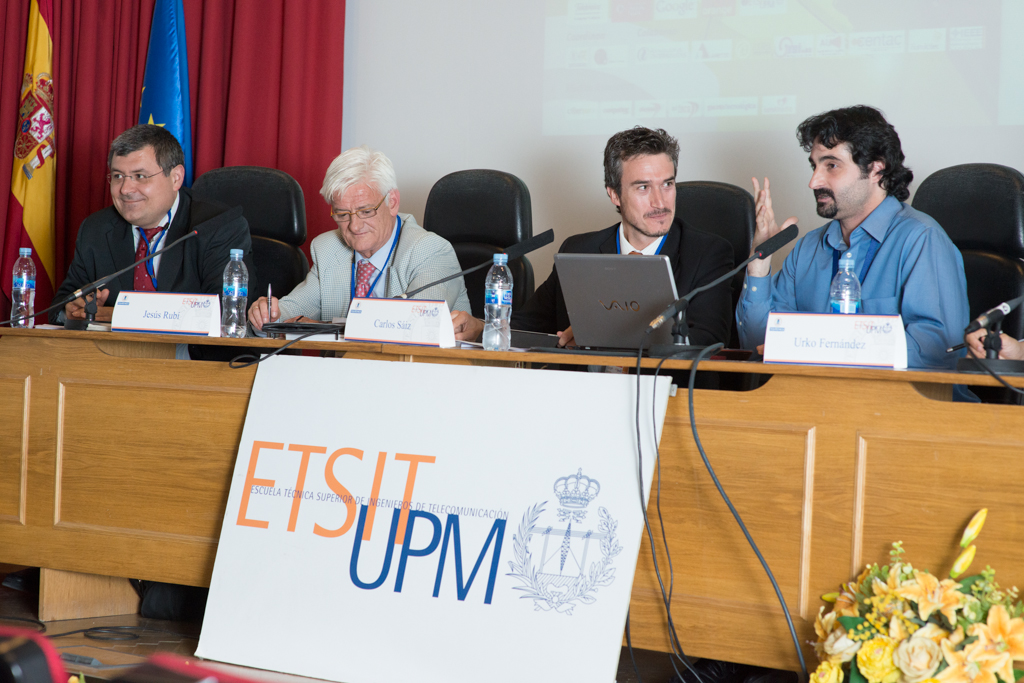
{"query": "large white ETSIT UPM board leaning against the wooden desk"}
pixel 395 523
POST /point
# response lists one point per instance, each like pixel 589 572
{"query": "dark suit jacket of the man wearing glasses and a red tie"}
pixel 106 245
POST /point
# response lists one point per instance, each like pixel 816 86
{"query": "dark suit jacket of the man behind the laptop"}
pixel 697 260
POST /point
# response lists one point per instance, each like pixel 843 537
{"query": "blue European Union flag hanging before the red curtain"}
pixel 165 90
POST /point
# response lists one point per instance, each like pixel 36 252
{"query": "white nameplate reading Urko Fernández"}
pixel 877 341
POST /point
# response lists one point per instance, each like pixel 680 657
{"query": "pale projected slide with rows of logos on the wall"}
pixel 756 65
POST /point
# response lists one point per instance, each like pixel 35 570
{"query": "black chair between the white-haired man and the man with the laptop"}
pixel 484 212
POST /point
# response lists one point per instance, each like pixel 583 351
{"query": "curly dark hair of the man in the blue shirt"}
pixel 871 139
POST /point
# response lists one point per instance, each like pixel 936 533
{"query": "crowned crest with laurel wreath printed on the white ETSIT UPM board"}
pixel 557 565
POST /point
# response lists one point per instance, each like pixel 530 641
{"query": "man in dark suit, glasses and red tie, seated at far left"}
pixel 151 210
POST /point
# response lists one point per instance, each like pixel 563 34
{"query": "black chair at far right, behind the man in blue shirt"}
pixel 982 208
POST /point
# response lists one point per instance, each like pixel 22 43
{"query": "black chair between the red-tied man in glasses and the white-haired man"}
pixel 273 204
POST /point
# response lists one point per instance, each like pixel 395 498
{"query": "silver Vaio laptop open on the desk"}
pixel 612 298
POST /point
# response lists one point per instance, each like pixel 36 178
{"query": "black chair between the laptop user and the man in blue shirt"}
pixel 724 210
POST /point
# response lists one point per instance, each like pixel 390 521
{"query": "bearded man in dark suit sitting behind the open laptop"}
pixel 641 169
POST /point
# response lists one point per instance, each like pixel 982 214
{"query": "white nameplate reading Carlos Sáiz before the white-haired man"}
pixel 401 322
